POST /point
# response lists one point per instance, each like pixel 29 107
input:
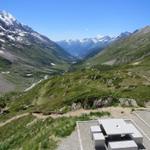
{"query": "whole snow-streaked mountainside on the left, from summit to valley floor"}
pixel 25 52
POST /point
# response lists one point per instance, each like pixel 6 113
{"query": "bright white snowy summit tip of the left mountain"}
pixel 7 18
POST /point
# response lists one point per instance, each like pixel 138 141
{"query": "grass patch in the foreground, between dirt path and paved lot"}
pixel 31 133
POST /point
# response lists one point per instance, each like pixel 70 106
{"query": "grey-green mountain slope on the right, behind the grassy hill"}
pixel 133 47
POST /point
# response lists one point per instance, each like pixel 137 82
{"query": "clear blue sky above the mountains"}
pixel 65 19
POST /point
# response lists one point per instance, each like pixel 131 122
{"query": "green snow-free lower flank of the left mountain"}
pixel 35 60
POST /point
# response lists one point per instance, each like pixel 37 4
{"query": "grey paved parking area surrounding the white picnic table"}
pixel 81 138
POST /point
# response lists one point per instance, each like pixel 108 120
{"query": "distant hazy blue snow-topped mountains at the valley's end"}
pixel 82 48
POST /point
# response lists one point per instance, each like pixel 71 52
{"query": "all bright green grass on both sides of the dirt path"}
pixel 84 86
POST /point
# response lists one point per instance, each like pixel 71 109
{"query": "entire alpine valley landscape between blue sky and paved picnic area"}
pixel 47 86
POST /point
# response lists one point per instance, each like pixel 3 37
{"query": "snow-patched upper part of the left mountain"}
pixel 13 30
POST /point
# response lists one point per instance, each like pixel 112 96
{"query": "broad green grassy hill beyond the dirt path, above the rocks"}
pixel 85 86
